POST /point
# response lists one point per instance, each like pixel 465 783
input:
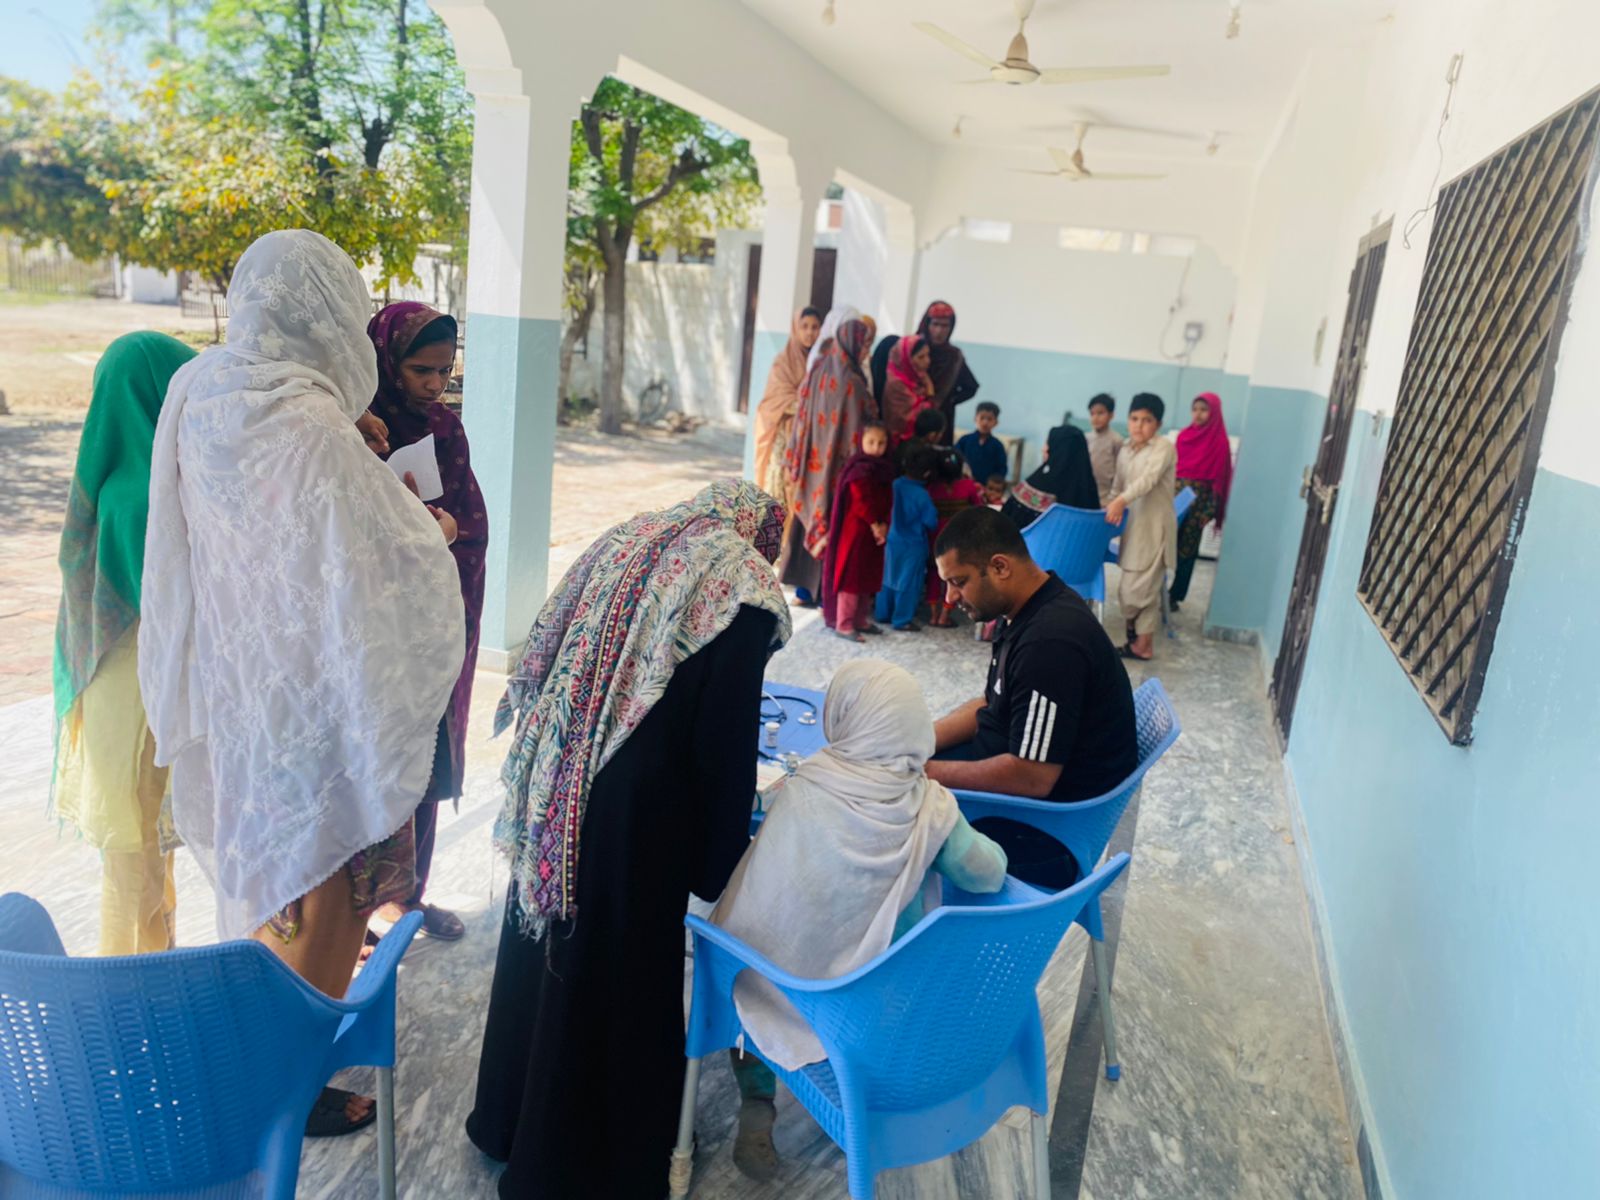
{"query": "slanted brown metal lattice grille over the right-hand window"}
pixel 1473 404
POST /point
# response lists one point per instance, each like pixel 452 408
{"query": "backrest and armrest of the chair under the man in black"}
pixel 1086 826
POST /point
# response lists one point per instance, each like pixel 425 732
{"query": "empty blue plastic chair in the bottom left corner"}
pixel 182 1074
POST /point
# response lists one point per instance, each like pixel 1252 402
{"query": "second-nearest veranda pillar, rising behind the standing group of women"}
pixel 793 194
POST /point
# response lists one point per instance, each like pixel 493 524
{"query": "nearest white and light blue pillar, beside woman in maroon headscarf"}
pixel 513 337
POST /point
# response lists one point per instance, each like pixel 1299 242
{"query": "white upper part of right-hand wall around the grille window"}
pixel 1362 143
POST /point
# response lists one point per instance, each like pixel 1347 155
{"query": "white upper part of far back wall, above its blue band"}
pixel 1034 295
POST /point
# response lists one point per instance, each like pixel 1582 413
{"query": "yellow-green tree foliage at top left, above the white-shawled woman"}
pixel 212 124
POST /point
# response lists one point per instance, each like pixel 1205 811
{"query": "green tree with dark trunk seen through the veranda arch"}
pixel 642 170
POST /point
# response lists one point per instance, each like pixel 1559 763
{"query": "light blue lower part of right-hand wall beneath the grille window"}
pixel 1460 882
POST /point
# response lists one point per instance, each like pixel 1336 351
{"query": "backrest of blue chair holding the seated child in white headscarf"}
pixel 934 1015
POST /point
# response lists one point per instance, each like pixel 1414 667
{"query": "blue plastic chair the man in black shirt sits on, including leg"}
pixel 1086 830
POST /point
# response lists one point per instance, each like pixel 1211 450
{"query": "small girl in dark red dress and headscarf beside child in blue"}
pixel 854 564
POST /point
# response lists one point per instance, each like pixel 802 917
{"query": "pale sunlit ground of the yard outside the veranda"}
pixel 47 362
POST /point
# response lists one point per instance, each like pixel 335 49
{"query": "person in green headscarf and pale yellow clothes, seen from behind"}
pixel 108 783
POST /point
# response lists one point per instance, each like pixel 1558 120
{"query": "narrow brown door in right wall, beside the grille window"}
pixel 1321 486
